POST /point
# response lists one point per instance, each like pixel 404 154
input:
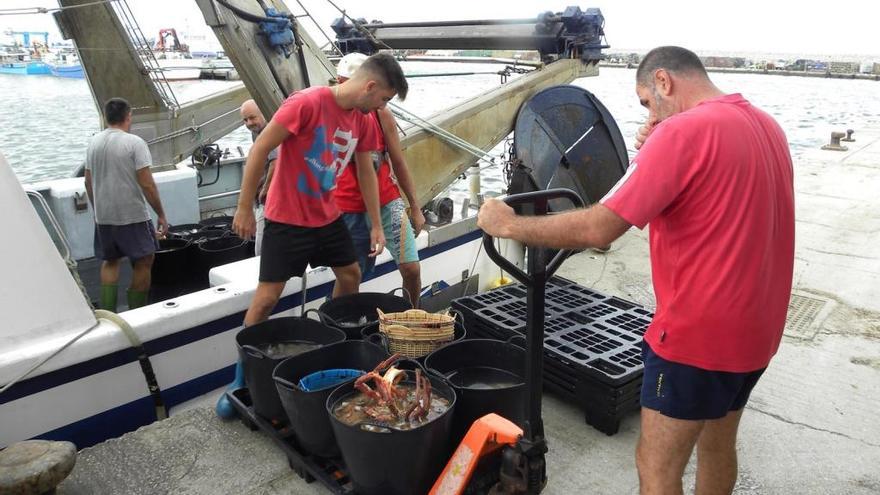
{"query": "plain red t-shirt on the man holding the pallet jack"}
pixel 715 183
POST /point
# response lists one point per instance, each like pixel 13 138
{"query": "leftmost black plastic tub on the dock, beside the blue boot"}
pixel 303 333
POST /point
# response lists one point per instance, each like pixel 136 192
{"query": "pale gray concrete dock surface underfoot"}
pixel 811 426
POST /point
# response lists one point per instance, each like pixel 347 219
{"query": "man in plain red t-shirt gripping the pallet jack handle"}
pixel 713 177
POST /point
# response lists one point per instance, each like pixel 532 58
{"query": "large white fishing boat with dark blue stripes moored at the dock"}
pixel 95 387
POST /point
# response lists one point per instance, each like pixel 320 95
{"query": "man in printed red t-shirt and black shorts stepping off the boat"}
pixel 319 130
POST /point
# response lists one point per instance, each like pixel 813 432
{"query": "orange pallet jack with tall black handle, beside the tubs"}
pixel 496 457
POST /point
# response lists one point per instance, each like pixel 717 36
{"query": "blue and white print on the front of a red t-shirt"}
pixel 324 174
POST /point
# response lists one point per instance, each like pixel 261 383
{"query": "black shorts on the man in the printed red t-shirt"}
pixel 287 249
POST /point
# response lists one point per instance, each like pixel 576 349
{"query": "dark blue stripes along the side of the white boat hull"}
pixel 128 417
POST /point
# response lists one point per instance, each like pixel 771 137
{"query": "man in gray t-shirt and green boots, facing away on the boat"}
pixel 118 180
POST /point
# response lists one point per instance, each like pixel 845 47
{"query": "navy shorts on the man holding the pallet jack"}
pixel 686 392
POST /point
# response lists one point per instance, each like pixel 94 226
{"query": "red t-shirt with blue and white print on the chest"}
pixel 323 140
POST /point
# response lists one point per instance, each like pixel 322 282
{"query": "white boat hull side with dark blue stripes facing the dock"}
pixel 105 396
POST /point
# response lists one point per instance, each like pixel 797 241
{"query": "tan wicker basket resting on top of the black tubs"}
pixel 415 333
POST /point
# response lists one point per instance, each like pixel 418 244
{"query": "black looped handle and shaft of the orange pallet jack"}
pixel 523 469
